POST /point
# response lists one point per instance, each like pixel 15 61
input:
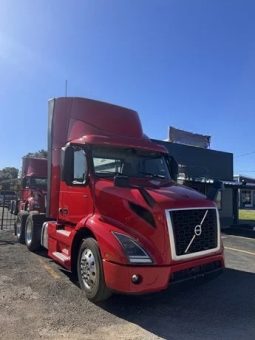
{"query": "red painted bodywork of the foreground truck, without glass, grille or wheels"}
pixel 100 208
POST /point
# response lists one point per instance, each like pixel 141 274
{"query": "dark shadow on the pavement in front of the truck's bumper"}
pixel 220 309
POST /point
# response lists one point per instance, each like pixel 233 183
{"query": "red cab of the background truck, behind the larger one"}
pixel 34 184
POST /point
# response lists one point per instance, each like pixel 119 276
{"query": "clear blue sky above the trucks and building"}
pixel 185 63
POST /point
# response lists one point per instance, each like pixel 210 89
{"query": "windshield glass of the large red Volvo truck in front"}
pixel 129 162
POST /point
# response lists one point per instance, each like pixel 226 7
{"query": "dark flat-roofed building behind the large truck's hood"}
pixel 200 168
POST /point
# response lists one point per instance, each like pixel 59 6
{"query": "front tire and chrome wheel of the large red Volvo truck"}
pixel 90 271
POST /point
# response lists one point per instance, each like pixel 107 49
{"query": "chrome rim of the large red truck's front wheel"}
pixel 88 269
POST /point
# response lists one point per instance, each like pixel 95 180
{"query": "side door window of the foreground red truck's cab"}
pixel 80 167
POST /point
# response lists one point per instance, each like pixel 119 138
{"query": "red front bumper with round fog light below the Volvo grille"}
pixel 155 278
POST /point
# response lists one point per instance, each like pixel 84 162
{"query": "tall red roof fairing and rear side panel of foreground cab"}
pixel 70 119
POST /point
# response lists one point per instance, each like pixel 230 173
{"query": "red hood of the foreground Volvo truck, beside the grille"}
pixel 141 212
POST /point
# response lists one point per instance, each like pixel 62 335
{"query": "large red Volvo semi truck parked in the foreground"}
pixel 115 215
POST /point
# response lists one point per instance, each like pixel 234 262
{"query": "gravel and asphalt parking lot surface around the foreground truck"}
pixel 39 300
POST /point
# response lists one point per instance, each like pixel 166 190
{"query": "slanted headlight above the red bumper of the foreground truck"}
pixel 134 252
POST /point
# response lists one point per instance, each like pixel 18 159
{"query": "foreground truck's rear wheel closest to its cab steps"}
pixel 33 231
